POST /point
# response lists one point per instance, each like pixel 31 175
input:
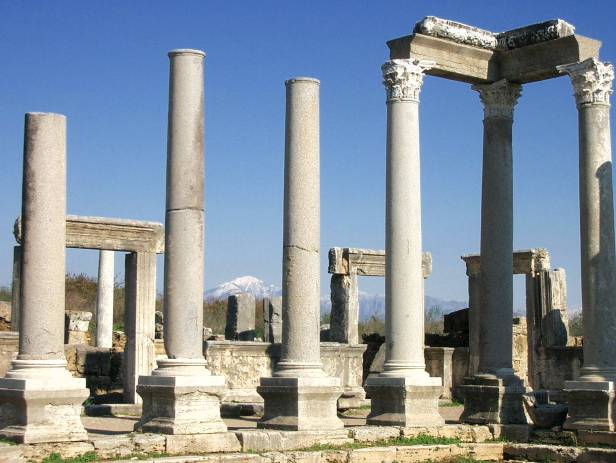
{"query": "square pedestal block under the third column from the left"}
pixel 300 404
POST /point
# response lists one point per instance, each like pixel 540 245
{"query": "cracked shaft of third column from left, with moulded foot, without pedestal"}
pixel 300 268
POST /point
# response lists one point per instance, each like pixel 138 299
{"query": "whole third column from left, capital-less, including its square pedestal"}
pixel 300 396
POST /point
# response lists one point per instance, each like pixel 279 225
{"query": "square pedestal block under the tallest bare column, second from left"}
pixel 181 404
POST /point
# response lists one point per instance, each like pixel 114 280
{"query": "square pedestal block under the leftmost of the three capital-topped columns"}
pixel 404 402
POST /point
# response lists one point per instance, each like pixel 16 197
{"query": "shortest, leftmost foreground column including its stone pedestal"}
pixel 40 401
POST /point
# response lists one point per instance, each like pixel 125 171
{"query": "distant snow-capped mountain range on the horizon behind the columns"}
pixel 369 304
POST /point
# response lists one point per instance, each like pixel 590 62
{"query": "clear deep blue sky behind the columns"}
pixel 104 65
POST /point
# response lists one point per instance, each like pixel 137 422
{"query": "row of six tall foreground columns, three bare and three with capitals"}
pixel 181 396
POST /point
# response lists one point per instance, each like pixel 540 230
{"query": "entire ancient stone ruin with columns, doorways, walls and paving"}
pixel 295 387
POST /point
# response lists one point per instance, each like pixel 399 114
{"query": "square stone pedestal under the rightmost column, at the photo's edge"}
pixel 591 405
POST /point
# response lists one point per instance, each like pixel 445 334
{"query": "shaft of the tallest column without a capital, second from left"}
pixel 184 227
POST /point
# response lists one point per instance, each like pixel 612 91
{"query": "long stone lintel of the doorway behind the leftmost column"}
pixel 109 233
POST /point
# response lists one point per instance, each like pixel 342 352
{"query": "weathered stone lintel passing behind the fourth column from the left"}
pixel 366 262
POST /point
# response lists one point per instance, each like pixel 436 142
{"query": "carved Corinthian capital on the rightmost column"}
pixel 591 79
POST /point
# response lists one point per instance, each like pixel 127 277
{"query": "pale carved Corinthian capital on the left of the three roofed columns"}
pixel 403 78
